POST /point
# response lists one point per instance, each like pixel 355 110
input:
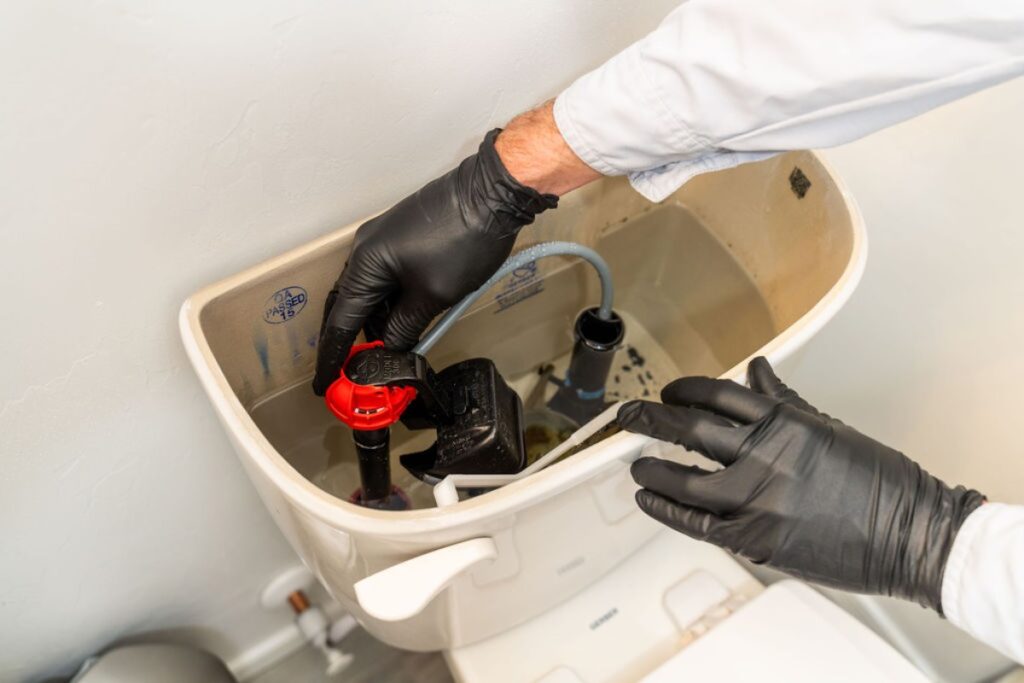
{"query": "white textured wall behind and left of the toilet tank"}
pixel 148 149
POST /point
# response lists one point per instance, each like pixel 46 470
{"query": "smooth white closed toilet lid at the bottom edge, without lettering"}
pixel 789 633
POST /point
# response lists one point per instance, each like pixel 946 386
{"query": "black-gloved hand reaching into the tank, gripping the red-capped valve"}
pixel 423 255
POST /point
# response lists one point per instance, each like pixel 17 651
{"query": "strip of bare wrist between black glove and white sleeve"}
pixel 535 153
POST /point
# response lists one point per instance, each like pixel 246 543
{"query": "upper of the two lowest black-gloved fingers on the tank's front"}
pixel 689 486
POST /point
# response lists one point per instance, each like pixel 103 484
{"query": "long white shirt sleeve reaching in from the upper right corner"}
pixel 723 82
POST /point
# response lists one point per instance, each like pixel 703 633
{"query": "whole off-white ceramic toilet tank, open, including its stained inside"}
pixel 738 264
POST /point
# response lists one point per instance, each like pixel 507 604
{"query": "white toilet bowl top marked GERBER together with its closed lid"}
pixel 680 611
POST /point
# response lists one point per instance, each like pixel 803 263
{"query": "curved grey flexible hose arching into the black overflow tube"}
pixel 516 263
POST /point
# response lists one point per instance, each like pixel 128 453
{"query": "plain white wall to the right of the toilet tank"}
pixel 928 356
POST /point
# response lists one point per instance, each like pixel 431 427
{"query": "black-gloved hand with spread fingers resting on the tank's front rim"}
pixel 799 492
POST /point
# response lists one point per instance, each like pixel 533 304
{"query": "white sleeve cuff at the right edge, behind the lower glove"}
pixel 984 585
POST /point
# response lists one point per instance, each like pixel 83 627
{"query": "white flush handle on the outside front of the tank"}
pixel 404 590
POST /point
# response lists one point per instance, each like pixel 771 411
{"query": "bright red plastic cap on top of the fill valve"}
pixel 366 407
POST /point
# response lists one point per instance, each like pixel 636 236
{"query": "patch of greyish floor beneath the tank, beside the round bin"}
pixel 374 663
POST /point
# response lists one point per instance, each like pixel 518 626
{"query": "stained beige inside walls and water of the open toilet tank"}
pixel 703 280
